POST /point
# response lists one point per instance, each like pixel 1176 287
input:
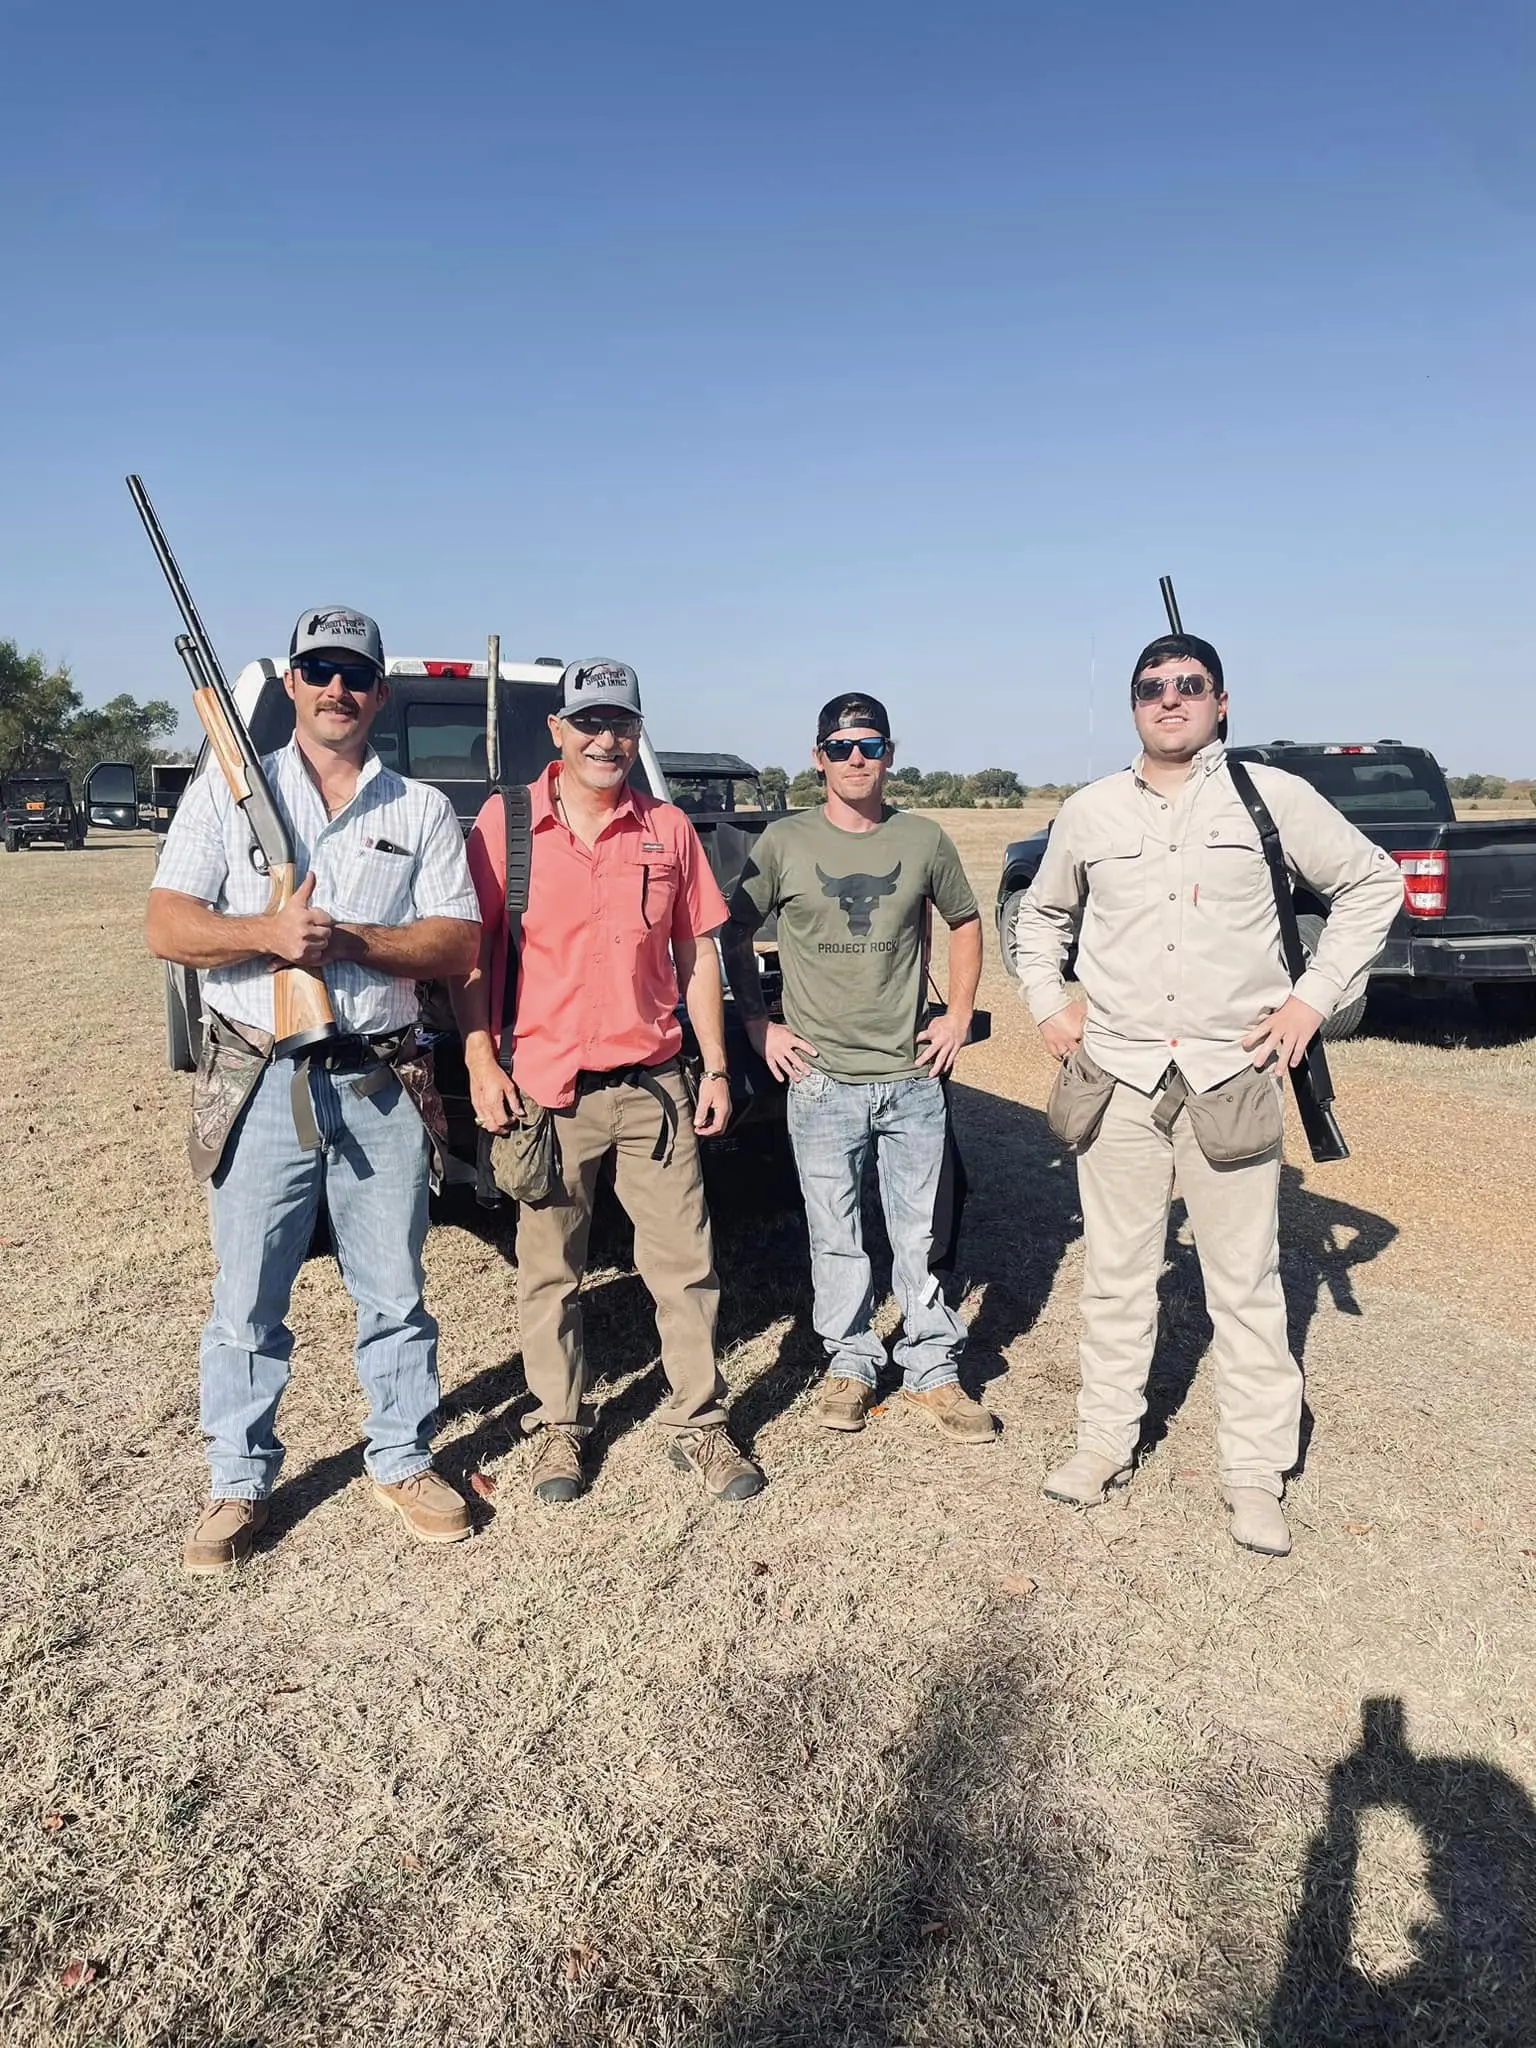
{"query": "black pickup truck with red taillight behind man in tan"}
pixel 1469 888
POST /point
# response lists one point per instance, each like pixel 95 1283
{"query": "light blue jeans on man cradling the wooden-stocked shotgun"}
pixel 263 1205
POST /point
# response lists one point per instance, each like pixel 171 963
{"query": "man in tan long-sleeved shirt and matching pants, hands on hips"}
pixel 1185 978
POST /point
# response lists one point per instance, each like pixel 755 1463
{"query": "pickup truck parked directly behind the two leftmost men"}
pixel 433 728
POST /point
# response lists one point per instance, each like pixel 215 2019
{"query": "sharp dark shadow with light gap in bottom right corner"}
pixel 1476 1971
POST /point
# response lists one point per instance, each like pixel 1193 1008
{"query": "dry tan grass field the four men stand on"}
pixel 894 1756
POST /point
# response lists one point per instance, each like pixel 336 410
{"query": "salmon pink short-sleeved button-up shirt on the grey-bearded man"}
pixel 597 984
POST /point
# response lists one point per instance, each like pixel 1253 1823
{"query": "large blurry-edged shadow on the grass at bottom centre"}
pixel 937 1893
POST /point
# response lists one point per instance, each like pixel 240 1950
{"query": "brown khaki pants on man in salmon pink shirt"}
pixel 673 1252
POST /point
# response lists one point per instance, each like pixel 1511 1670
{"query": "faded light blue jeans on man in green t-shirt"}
pixel 833 1127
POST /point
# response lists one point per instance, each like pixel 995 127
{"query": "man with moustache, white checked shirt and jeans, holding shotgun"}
pixel 386 902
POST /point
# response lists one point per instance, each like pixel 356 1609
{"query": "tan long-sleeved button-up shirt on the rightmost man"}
pixel 1181 941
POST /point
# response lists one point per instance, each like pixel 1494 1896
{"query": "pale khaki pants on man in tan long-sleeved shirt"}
pixel 1127 1183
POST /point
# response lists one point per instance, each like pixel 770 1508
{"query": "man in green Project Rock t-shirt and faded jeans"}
pixel 851 884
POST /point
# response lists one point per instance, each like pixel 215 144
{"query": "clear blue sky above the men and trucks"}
pixel 787 349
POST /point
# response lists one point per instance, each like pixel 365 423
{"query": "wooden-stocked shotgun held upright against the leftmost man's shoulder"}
pixel 304 1017
